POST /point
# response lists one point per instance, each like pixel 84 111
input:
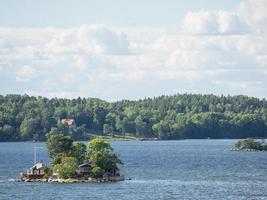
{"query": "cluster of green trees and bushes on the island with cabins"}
pixel 66 156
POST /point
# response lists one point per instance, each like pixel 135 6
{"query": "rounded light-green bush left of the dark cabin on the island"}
pixel 67 168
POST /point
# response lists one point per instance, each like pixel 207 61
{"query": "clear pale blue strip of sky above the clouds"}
pixel 17 13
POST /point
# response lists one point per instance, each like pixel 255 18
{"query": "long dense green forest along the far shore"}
pixel 166 117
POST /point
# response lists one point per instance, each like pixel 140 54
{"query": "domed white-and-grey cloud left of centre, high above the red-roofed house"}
pixel 90 39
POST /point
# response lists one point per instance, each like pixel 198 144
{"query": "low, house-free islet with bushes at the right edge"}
pixel 250 144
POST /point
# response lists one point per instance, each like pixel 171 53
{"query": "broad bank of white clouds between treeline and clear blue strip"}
pixel 211 54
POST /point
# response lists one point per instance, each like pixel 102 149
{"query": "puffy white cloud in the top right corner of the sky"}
pixel 251 16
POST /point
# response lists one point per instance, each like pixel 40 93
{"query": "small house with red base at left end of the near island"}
pixel 35 172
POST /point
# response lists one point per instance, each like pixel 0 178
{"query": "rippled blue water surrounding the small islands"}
pixel 188 169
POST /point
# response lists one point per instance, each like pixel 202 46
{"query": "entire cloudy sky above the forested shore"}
pixel 133 49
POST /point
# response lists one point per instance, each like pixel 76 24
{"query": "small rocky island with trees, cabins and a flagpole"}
pixel 75 162
